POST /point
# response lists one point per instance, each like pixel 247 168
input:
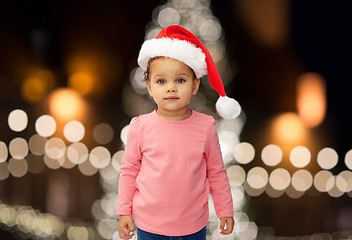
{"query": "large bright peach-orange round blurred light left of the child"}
pixel 66 104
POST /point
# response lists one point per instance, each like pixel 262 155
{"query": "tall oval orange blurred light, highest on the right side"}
pixel 311 98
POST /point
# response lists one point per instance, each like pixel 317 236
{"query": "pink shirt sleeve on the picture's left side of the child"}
pixel 130 168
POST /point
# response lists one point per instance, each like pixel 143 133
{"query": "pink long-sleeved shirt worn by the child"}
pixel 169 169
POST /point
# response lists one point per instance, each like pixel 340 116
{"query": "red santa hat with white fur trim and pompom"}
pixel 178 43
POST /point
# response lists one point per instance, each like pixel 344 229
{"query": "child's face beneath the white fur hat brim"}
pixel 171 84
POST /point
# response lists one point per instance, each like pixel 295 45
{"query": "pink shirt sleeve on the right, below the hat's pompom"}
pixel 218 180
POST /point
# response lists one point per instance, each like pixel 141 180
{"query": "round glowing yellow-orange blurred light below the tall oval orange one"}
pixel 288 128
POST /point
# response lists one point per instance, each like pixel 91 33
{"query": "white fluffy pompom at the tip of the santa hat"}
pixel 228 108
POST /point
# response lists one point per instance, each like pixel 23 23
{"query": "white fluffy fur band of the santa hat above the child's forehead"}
pixel 177 49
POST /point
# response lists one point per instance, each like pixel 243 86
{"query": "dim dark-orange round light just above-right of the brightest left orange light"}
pixel 82 82
